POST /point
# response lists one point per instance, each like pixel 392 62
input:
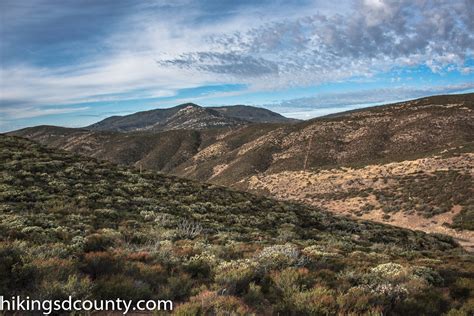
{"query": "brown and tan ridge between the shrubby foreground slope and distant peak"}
pixel 408 164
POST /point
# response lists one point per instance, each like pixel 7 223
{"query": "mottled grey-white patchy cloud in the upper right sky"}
pixel 373 36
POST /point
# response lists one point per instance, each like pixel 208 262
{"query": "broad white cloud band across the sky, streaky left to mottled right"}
pixel 155 52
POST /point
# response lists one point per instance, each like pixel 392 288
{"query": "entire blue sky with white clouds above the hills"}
pixel 75 62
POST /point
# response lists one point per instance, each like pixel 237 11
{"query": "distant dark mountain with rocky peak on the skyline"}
pixel 188 116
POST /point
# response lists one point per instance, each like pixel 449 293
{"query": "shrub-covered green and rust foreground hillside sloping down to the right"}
pixel 72 225
